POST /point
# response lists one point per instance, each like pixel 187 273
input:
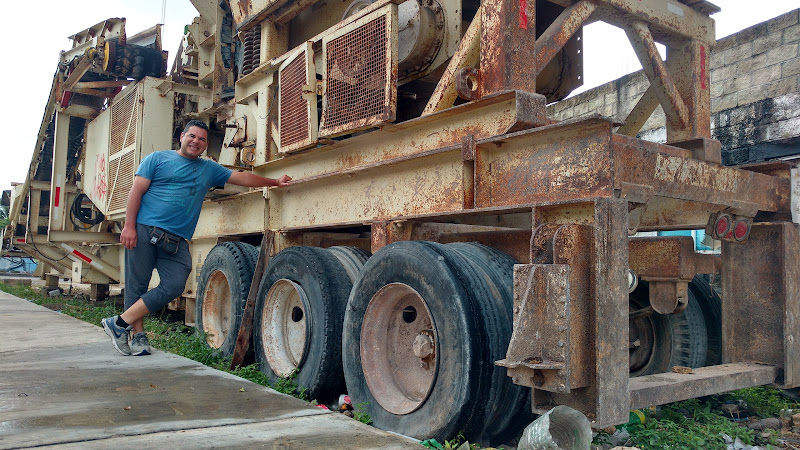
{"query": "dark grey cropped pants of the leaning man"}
pixel 173 270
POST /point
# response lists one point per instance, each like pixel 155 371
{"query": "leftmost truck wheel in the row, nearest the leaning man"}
pixel 222 292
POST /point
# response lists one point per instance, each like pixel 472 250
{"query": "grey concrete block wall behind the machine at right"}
pixel 755 94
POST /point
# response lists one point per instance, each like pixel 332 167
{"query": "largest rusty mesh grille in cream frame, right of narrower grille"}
pixel 358 84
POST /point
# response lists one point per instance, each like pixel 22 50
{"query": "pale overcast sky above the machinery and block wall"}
pixel 34 39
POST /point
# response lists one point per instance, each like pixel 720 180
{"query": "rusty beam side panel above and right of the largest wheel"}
pixel 555 163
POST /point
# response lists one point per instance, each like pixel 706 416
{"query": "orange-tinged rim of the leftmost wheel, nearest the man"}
pixel 217 309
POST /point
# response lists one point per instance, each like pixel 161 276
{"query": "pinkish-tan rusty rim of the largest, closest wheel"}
pixel 399 348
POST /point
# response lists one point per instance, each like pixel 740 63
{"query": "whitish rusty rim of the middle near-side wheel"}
pixel 286 327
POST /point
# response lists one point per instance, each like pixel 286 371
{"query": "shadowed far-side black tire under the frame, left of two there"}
pixel 666 340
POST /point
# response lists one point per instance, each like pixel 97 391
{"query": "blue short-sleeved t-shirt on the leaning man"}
pixel 178 186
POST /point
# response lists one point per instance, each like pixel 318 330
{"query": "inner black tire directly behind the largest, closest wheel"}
pixel 491 277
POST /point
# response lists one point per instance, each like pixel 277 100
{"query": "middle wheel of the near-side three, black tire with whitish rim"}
pixel 316 361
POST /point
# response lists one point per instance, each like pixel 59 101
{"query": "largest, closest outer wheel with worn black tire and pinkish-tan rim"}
pixel 460 375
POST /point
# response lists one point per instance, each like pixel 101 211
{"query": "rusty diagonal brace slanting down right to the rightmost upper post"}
pixel 656 71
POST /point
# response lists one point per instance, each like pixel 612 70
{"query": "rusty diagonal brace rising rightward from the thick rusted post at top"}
pixel 560 31
